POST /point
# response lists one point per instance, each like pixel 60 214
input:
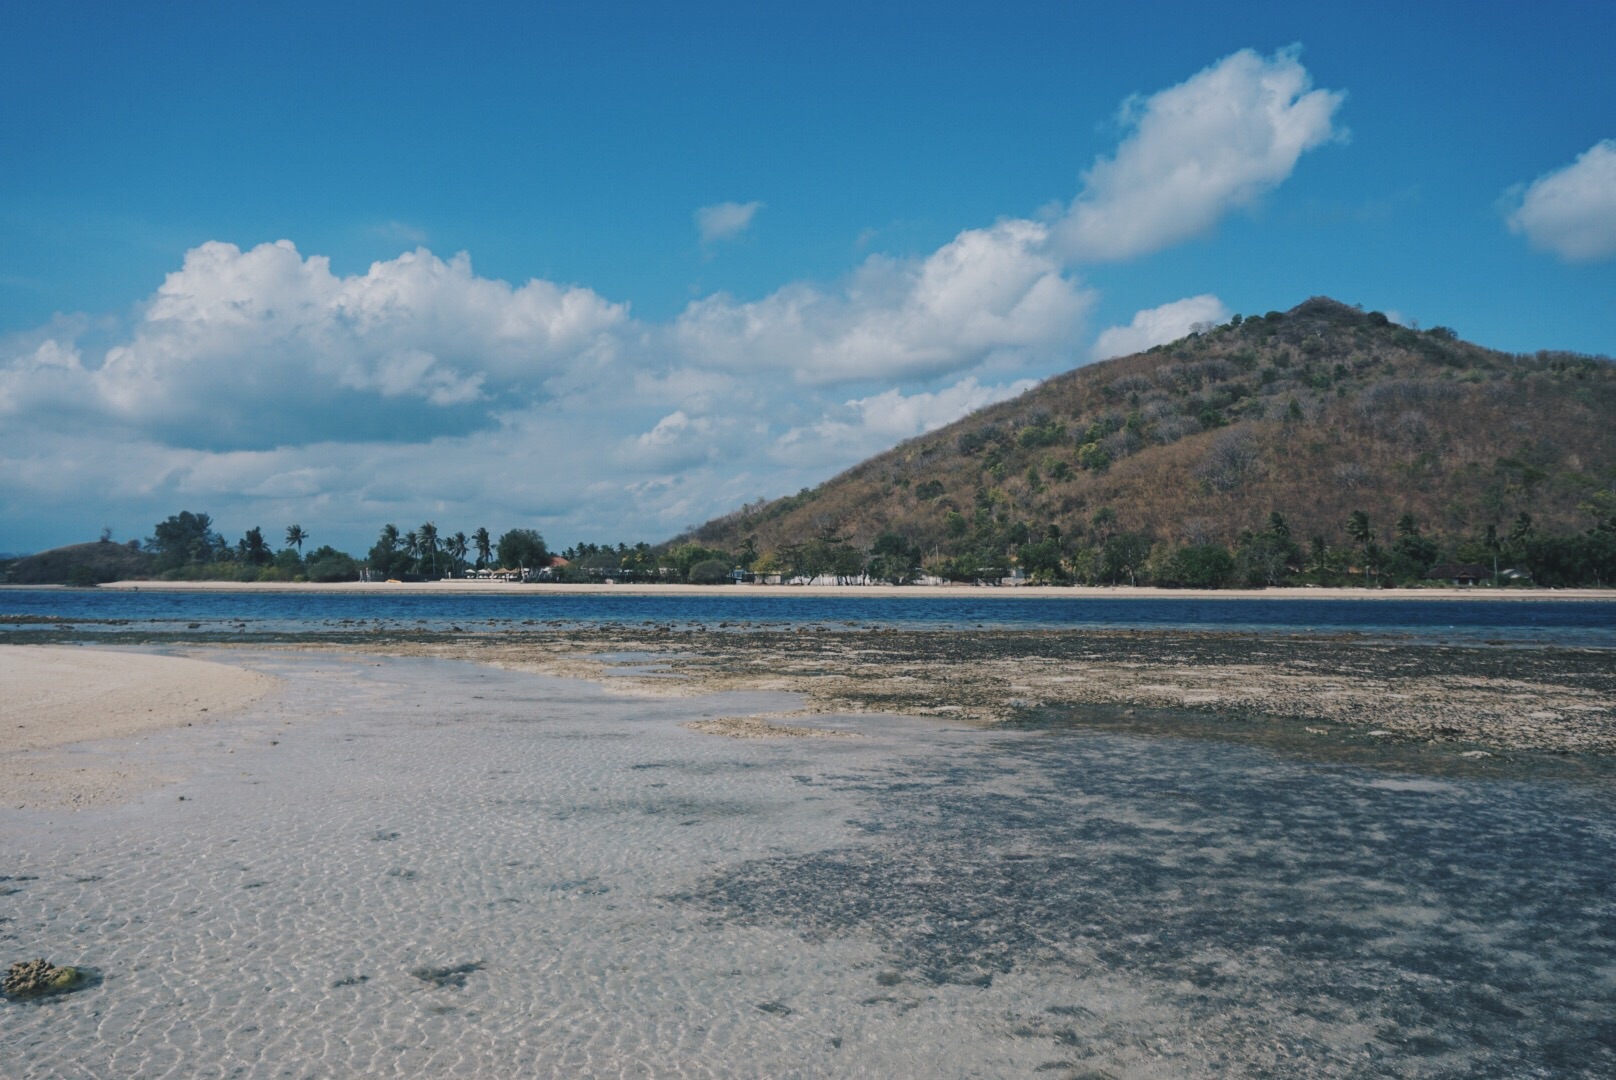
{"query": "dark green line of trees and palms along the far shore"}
pixel 1402 554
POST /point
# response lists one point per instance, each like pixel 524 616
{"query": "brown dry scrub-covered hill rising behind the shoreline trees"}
pixel 1316 415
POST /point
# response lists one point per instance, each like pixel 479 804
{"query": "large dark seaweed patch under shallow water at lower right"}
pixel 1232 885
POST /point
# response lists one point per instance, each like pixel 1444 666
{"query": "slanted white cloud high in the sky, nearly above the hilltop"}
pixel 1214 143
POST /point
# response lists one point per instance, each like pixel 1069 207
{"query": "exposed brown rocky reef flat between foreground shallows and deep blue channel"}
pixel 1470 698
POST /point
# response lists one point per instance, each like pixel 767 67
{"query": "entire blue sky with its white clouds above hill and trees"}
pixel 612 271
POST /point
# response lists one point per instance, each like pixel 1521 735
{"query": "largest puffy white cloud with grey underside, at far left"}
pixel 263 347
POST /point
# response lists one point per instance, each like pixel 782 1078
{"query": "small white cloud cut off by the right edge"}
pixel 1573 211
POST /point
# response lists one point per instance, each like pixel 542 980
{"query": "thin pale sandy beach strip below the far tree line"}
pixel 977 593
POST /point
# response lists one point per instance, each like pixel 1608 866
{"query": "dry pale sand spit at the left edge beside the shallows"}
pixel 57 698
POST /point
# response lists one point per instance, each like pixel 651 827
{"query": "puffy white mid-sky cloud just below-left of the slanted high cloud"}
pixel 983 295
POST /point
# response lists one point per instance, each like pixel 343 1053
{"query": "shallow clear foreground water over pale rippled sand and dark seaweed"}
pixel 453 871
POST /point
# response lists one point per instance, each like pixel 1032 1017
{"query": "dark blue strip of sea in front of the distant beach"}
pixel 1546 622
